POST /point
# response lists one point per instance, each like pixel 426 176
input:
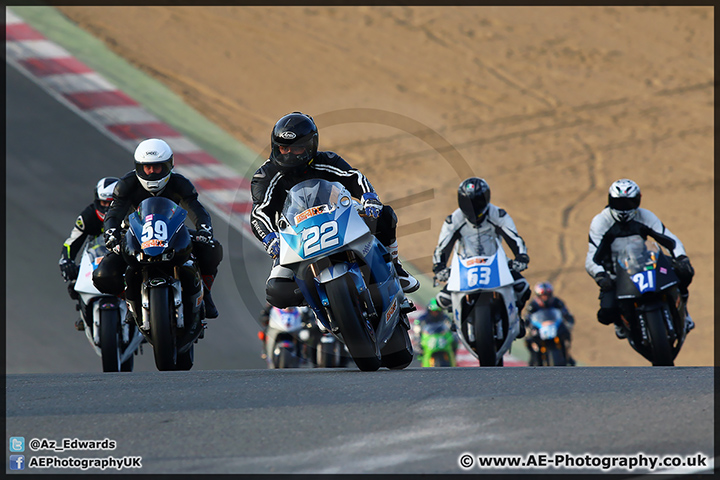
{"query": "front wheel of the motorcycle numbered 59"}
pixel 163 340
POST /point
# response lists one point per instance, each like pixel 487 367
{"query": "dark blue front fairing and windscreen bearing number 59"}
pixel 154 223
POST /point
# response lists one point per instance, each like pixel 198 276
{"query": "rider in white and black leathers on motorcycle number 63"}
pixel 462 229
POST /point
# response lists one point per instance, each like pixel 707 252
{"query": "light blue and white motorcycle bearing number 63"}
pixel 483 300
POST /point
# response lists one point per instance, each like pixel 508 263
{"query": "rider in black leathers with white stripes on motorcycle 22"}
pixel 293 159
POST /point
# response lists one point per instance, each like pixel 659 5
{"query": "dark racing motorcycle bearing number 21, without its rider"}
pixel 650 303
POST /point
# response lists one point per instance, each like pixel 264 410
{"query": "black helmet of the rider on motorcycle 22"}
pixel 294 130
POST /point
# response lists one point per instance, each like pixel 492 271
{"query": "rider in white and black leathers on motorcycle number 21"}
pixel 622 218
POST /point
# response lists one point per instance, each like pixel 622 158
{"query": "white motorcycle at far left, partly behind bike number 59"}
pixel 113 338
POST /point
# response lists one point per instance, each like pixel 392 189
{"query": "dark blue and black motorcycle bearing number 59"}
pixel 159 244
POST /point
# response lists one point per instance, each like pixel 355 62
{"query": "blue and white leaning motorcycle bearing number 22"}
pixel 345 275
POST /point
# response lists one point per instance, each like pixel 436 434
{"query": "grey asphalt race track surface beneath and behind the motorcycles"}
pixel 230 415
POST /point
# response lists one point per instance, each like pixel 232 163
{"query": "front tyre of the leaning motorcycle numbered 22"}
pixel 355 330
